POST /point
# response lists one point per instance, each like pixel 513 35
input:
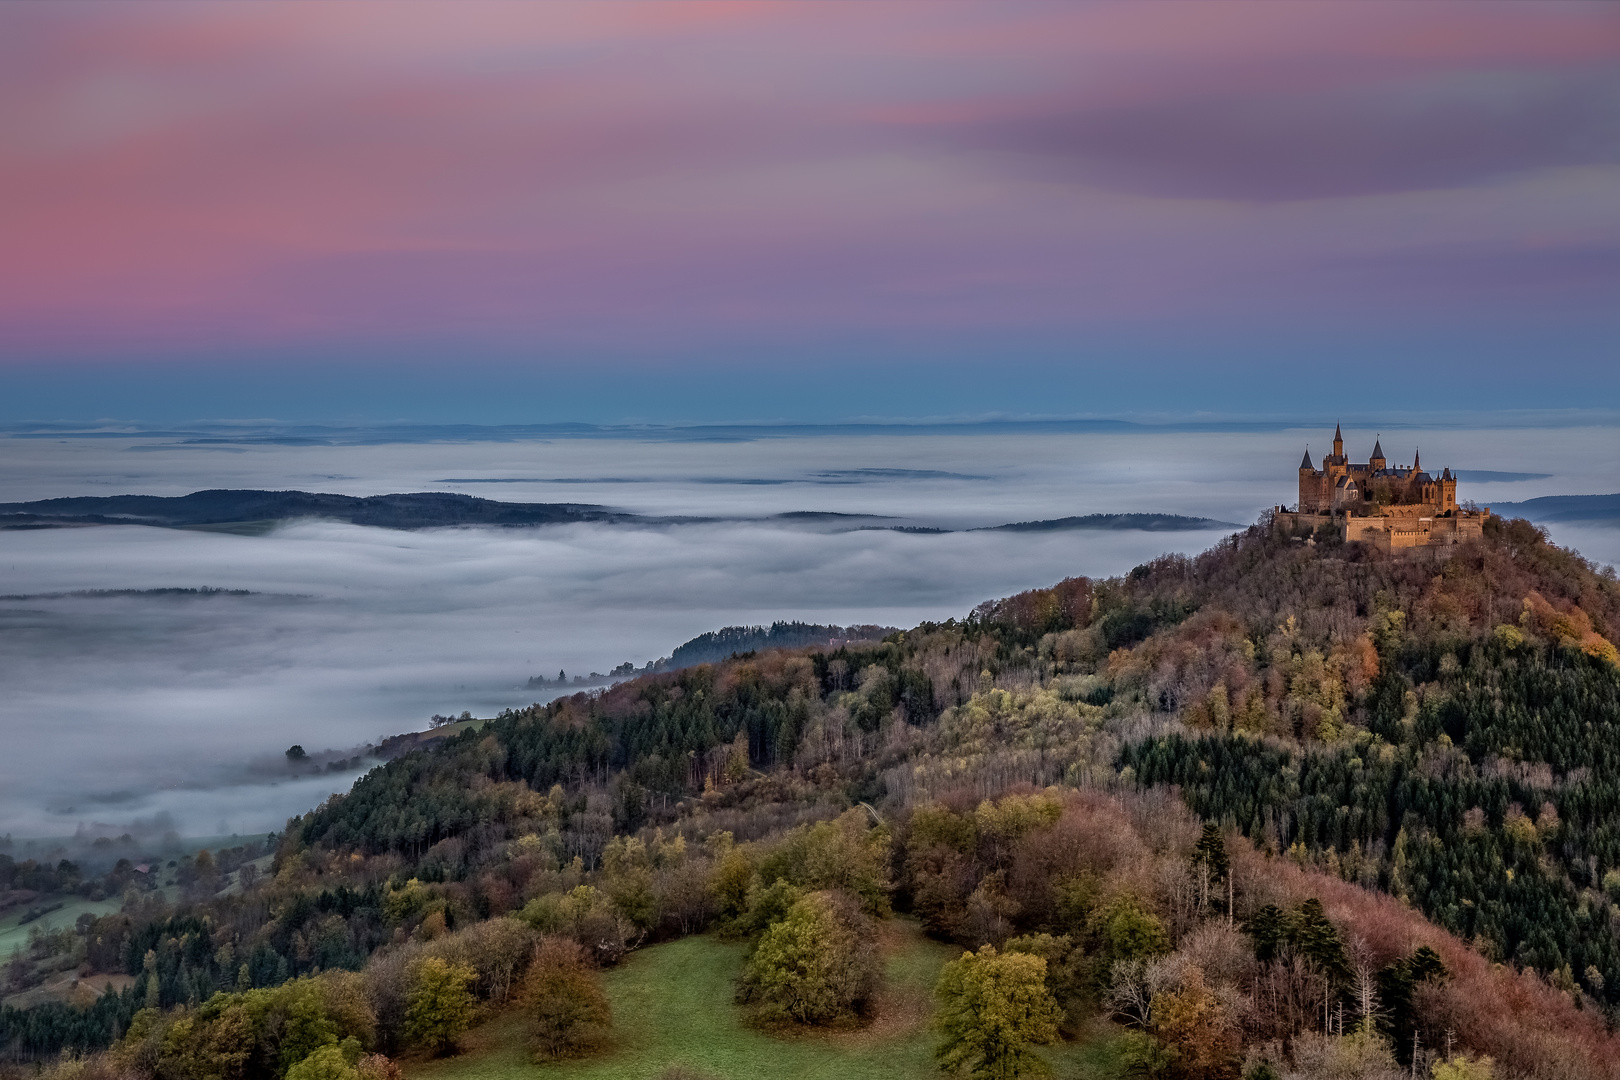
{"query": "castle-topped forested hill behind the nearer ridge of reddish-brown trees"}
pixel 1438 725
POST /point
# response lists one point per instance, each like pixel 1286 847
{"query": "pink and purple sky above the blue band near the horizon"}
pixel 647 181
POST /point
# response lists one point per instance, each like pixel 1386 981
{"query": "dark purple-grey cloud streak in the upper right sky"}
pixel 1439 132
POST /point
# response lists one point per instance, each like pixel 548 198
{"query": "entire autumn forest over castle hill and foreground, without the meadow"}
pixel 1426 734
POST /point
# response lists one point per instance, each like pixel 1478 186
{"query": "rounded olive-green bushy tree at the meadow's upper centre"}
pixel 812 967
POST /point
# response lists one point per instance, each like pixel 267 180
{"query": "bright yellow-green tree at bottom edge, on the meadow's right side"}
pixel 994 1010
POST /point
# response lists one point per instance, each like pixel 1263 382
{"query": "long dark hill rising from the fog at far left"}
pixel 220 509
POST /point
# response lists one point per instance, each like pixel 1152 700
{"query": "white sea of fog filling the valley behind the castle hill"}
pixel 126 712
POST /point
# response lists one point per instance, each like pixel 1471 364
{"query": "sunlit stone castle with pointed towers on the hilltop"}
pixel 1381 504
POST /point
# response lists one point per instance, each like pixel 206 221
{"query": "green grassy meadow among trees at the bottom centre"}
pixel 673 1006
